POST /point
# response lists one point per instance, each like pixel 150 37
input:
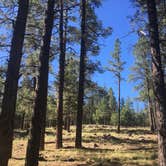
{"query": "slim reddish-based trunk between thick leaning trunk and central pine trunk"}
pixel 61 79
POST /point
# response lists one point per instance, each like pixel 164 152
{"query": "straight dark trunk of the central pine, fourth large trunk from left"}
pixel 78 141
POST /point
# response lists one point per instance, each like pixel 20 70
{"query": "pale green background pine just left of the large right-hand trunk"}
pixel 141 73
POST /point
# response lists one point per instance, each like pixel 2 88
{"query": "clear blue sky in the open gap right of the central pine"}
pixel 114 13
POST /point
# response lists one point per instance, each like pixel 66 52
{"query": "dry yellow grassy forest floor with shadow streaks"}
pixel 102 146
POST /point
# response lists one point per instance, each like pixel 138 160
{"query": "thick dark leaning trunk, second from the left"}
pixel 39 116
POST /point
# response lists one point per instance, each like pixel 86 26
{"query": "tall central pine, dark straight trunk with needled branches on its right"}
pixel 91 30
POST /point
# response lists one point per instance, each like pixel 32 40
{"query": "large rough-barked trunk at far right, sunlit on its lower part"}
pixel 158 81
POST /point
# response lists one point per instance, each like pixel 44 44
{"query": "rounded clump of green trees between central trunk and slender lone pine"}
pixel 99 105
